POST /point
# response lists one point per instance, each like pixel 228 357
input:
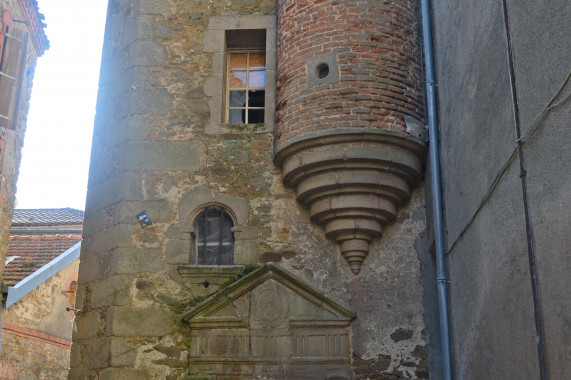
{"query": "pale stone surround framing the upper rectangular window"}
pixel 214 41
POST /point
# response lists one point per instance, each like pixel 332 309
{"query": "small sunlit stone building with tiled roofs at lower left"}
pixel 38 293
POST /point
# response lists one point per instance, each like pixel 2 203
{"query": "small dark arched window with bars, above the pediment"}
pixel 214 237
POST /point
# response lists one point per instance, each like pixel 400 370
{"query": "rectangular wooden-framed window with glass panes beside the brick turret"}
pixel 246 87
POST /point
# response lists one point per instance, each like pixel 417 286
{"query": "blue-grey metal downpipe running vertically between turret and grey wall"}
pixel 441 277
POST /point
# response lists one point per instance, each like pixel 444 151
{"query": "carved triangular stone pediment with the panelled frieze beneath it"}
pixel 269 324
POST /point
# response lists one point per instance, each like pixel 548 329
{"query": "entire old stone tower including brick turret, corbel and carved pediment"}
pixel 311 189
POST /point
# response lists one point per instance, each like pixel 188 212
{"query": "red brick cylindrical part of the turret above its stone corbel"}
pixel 378 52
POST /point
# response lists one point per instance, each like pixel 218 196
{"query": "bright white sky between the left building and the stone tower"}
pixel 57 144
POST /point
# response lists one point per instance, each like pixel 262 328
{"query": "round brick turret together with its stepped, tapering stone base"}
pixel 349 101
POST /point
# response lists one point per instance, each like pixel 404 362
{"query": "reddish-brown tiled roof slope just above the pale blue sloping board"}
pixel 27 254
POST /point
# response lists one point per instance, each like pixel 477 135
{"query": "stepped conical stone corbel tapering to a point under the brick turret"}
pixel 353 181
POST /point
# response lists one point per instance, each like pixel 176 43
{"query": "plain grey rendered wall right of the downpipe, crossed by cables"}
pixel 493 328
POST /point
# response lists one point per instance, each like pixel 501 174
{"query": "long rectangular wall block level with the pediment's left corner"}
pixel 131 321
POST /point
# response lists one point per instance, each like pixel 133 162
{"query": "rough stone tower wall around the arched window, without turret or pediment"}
pixel 151 151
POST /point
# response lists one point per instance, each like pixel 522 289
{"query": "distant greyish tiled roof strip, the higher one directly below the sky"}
pixel 46 217
